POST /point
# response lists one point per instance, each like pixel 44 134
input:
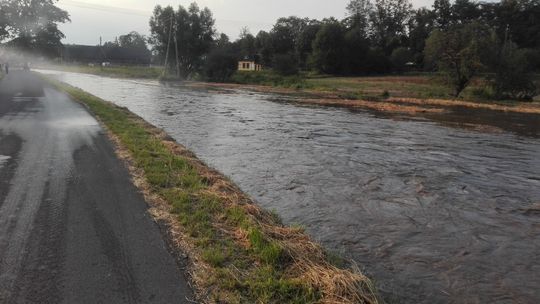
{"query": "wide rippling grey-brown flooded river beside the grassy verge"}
pixel 435 214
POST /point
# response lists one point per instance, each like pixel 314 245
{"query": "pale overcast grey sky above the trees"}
pixel 91 19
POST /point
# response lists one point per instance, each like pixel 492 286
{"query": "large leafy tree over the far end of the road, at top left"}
pixel 32 25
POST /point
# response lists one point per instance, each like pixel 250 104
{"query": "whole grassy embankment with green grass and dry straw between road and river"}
pixel 239 252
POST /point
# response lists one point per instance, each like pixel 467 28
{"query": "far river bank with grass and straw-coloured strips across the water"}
pixel 411 94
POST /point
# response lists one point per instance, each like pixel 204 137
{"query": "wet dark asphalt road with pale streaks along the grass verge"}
pixel 73 228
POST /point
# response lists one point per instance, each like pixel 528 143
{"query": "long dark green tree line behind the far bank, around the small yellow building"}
pixel 460 39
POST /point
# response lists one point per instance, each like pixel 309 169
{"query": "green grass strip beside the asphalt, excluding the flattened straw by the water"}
pixel 255 274
